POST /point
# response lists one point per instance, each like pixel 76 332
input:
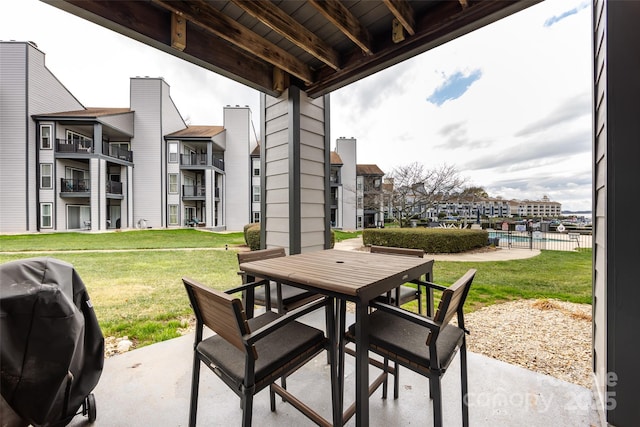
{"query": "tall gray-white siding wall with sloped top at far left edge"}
pixel 27 88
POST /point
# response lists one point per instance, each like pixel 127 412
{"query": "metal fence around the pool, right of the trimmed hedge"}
pixel 555 241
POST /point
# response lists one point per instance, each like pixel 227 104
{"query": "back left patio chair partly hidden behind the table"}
pixel 284 297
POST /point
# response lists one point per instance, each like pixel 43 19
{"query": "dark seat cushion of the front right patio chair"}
pixel 405 341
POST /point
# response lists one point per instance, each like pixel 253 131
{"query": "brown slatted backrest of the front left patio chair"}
pixel 220 312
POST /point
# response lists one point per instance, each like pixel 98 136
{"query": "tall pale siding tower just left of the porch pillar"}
pixel 237 200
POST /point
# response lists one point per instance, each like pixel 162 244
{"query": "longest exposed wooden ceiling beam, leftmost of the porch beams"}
pixel 209 19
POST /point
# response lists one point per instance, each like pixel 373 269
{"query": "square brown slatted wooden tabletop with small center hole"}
pixel 349 273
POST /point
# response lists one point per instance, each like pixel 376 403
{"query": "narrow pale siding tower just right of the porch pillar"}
pixel 346 148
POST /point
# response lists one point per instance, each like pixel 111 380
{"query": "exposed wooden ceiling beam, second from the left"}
pixel 273 17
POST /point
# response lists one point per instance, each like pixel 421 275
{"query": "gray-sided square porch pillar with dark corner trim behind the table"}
pixel 295 156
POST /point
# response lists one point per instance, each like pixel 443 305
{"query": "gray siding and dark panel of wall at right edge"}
pixel 616 174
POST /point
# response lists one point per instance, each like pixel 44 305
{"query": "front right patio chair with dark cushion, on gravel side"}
pixel 399 335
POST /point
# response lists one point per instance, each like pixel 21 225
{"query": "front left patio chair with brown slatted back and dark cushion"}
pixel 250 354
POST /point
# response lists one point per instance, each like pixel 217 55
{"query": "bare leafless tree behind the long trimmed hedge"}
pixel 416 189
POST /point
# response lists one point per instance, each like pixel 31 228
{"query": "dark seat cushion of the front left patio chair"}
pixel 277 349
